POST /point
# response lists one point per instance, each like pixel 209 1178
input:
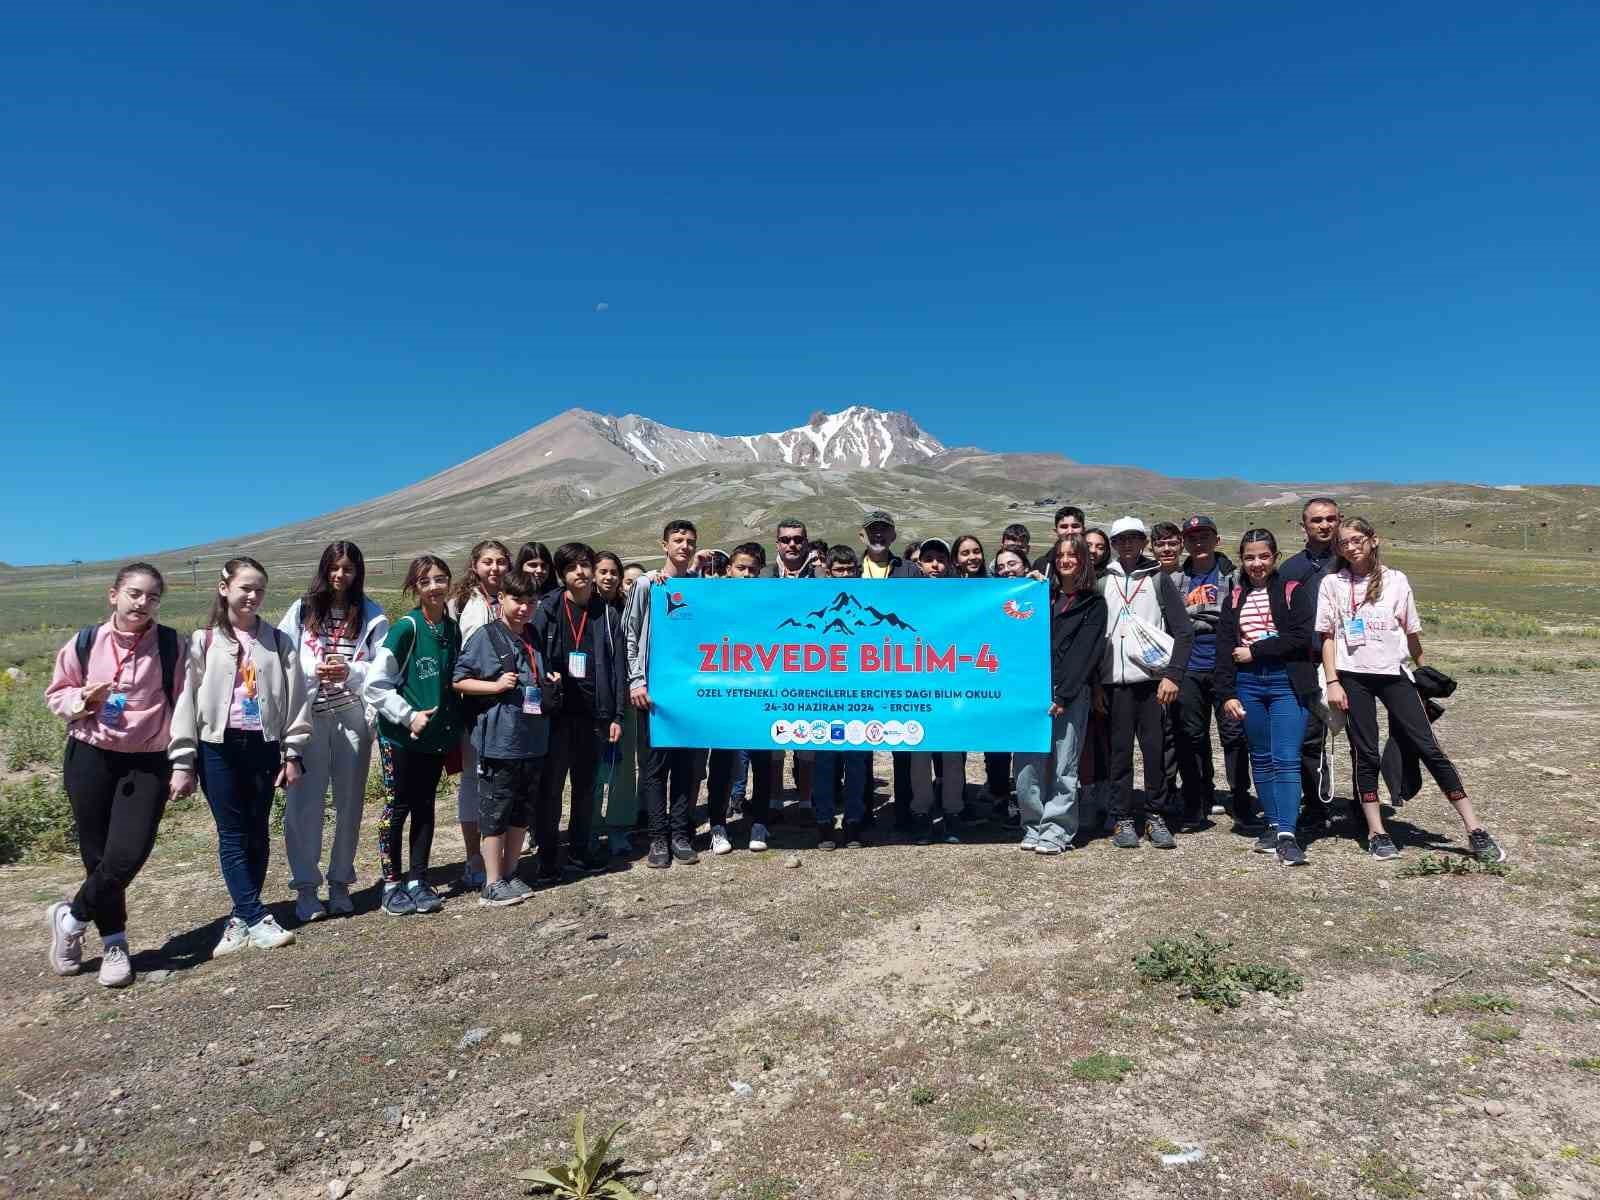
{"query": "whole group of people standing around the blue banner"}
pixel 529 678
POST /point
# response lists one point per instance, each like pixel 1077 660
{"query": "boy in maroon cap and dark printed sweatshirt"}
pixel 1206 580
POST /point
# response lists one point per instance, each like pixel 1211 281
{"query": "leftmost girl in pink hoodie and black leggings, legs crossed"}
pixel 116 686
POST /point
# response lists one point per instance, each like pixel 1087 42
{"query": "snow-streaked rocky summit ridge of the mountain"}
pixel 857 438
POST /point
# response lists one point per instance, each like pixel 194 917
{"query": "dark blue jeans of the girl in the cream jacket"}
pixel 238 778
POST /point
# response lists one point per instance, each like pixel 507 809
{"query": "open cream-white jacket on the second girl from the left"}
pixel 202 708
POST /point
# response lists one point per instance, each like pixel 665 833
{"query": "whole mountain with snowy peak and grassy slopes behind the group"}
pixel 615 481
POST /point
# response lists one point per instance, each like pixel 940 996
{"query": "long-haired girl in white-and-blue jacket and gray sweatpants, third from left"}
pixel 338 631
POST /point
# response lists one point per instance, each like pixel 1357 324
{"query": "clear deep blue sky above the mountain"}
pixel 260 263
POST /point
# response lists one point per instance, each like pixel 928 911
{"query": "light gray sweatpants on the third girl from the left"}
pixel 338 756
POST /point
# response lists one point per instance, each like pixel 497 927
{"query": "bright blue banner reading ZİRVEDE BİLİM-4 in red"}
pixel 850 665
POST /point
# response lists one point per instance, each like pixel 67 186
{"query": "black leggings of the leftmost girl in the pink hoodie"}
pixel 118 802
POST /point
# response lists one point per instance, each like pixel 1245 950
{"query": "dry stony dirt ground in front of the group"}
pixel 905 1018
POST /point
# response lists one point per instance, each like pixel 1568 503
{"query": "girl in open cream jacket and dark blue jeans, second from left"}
pixel 241 726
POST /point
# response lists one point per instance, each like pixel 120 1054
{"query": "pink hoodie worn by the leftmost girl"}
pixel 146 722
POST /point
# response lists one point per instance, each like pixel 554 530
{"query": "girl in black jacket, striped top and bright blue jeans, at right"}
pixel 1266 678
